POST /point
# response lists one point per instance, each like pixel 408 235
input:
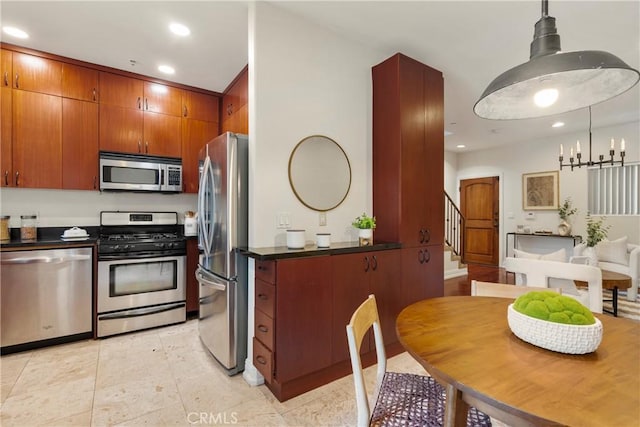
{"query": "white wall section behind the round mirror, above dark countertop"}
pixel 305 80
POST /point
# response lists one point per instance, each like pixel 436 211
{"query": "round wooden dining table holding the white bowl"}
pixel 465 343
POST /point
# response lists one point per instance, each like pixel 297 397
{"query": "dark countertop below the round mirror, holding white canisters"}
pixel 282 252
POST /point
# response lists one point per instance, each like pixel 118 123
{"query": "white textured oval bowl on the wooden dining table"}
pixel 560 337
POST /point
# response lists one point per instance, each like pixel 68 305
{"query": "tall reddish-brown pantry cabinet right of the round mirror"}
pixel 408 170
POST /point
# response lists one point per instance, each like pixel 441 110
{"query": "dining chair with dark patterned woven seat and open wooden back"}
pixel 400 398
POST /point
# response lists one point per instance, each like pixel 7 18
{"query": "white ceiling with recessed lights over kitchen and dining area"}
pixel 471 42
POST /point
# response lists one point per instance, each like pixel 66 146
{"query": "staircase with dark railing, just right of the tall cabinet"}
pixel 453 240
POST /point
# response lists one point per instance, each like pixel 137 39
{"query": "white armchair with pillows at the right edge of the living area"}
pixel 613 257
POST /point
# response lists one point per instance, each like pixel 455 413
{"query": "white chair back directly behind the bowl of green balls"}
pixel 539 272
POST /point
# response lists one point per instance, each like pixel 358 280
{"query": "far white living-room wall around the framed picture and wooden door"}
pixel 542 155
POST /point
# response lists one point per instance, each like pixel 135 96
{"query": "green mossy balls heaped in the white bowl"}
pixel 553 307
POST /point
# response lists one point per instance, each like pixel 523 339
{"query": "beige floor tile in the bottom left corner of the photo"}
pixel 43 406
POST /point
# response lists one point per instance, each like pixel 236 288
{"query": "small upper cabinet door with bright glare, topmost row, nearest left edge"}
pixel 37 74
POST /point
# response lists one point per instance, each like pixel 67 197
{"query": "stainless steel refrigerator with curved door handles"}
pixel 222 227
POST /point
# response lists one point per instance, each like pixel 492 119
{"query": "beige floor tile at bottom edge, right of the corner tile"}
pixel 127 401
